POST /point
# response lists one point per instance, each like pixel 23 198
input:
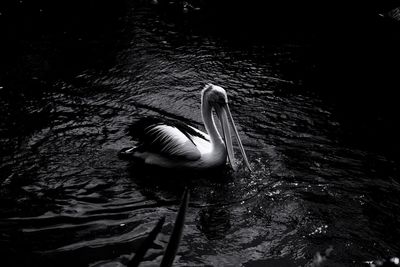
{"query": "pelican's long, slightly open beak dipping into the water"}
pixel 225 117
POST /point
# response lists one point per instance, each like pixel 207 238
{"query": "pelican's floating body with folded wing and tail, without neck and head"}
pixel 170 144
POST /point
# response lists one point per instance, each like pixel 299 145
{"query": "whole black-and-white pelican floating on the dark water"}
pixel 172 144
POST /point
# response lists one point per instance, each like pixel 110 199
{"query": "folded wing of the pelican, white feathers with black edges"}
pixel 169 138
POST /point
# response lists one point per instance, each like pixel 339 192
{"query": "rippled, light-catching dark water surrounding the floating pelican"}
pixel 67 200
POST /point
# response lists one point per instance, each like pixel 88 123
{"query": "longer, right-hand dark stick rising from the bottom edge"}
pixel 173 244
